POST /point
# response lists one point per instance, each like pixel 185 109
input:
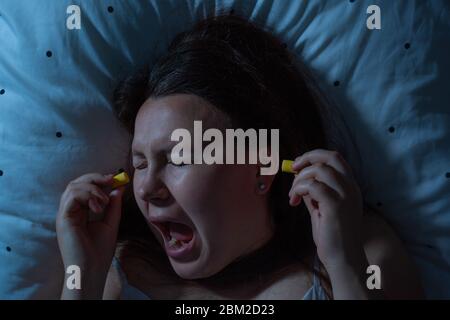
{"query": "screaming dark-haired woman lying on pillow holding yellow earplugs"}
pixel 229 232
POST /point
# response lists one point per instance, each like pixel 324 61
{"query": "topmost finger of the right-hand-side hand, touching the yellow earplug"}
pixel 331 158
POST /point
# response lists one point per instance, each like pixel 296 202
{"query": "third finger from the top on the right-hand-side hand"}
pixel 318 191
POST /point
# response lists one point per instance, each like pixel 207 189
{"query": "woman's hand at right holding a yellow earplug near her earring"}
pixel 333 198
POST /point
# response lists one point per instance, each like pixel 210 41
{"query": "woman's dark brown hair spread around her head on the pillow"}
pixel 249 75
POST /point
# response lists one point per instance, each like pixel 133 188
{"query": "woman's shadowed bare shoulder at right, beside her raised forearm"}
pixel 399 276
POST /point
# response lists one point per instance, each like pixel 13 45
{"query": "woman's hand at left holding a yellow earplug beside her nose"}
pixel 90 245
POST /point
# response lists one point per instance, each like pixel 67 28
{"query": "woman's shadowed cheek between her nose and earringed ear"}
pixel 218 199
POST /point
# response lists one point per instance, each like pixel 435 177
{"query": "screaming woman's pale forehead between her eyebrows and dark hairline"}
pixel 159 117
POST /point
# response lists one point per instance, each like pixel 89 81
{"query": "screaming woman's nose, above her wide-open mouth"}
pixel 153 190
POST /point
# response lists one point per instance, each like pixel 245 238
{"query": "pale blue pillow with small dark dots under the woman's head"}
pixel 56 123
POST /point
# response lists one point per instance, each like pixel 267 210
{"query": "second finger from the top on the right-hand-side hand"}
pixel 325 174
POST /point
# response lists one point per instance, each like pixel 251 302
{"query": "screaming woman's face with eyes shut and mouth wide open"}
pixel 225 212
